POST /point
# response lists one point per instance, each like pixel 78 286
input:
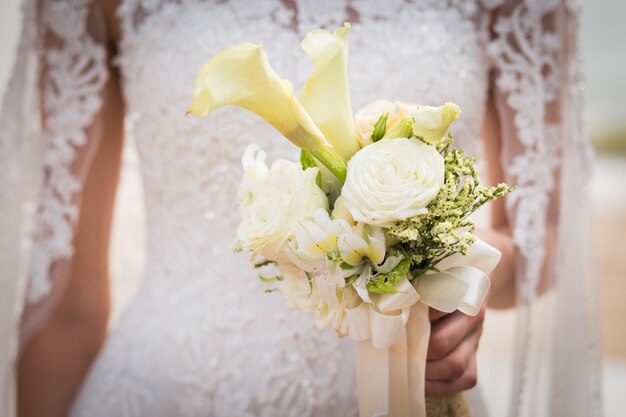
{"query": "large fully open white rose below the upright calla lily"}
pixel 392 180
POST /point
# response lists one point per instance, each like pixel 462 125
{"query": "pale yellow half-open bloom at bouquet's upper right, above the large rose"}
pixel 433 123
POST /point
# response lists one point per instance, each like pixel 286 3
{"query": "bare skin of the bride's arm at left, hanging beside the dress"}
pixel 56 359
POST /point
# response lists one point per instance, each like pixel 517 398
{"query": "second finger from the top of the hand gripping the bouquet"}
pixel 455 364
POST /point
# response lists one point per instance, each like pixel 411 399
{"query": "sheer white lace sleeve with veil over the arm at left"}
pixel 48 135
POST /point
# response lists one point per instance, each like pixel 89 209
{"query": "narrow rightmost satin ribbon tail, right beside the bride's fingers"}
pixel 418 334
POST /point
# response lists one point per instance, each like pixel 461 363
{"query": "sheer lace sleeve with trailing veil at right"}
pixel 545 153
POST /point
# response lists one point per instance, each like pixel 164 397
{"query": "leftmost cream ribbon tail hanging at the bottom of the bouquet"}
pixel 372 379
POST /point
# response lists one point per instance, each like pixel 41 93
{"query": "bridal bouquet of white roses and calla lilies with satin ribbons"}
pixel 371 226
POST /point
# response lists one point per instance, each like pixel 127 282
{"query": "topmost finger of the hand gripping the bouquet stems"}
pixel 448 332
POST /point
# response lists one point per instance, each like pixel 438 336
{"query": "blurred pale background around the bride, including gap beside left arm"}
pixel 604 56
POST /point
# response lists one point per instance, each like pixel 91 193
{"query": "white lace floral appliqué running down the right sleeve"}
pixel 524 53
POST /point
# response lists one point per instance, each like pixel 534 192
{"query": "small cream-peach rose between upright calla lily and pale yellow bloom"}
pixel 365 119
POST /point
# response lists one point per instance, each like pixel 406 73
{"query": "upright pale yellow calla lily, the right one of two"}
pixel 326 95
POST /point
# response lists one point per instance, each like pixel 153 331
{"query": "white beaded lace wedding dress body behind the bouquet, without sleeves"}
pixel 199 329
